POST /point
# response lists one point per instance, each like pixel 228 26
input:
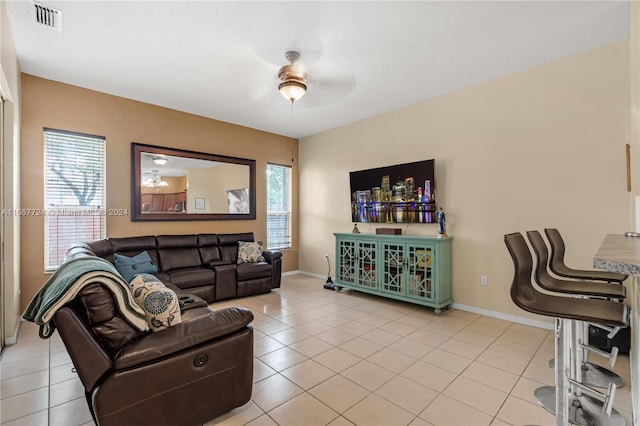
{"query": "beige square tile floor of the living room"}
pixel 337 358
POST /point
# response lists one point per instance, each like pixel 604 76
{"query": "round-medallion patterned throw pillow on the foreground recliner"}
pixel 160 303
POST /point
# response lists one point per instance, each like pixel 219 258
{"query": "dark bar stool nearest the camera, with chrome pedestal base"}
pixel 571 404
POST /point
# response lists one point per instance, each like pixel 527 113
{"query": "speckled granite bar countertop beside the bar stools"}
pixel 619 254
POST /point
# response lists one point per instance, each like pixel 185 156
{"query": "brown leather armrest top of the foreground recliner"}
pixel 196 328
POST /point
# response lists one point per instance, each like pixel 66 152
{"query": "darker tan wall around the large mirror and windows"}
pixel 122 121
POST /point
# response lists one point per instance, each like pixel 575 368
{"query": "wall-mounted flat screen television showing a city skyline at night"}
pixel 403 193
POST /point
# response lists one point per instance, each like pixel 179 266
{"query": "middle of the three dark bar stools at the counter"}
pixel 592 374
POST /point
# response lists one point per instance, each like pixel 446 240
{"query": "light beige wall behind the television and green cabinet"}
pixel 540 148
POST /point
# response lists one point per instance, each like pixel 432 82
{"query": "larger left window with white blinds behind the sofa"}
pixel 74 191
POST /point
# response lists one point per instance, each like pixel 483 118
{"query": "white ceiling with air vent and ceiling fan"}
pixel 220 59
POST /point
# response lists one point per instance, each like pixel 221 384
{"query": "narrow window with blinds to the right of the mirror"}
pixel 278 207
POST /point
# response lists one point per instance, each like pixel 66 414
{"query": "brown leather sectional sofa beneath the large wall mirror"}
pixel 204 265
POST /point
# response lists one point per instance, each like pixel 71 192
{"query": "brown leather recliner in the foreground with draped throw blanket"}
pixel 187 374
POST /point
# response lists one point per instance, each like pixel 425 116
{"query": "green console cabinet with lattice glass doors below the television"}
pixel 412 268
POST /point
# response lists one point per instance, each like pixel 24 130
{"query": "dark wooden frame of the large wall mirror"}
pixel 136 182
